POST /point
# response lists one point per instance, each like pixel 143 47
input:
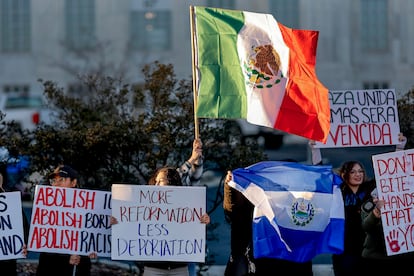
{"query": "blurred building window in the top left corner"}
pixel 15 25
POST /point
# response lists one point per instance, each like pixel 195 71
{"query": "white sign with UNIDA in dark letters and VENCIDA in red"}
pixel 362 118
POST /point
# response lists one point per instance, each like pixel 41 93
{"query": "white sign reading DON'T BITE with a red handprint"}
pixel 394 174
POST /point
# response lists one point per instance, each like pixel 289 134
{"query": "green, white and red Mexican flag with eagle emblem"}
pixel 250 66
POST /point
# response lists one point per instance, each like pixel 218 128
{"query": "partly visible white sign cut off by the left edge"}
pixel 11 226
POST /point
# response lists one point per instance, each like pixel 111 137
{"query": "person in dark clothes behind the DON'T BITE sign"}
pixel 375 259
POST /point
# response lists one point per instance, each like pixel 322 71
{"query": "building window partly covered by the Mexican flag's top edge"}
pixel 286 12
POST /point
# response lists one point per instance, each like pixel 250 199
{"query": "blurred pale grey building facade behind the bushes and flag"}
pixel 363 44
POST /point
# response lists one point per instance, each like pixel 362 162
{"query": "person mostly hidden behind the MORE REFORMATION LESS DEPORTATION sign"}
pixel 168 176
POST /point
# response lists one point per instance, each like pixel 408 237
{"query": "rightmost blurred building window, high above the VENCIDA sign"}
pixel 374 25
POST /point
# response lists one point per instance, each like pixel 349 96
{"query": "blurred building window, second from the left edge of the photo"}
pixel 80 24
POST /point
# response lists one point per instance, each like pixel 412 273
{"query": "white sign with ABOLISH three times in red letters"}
pixel 72 221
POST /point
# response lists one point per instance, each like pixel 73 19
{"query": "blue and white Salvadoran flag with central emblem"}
pixel 299 210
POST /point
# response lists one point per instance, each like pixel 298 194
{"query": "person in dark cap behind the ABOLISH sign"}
pixel 64 264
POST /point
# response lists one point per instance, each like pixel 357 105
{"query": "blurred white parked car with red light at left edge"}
pixel 25 110
